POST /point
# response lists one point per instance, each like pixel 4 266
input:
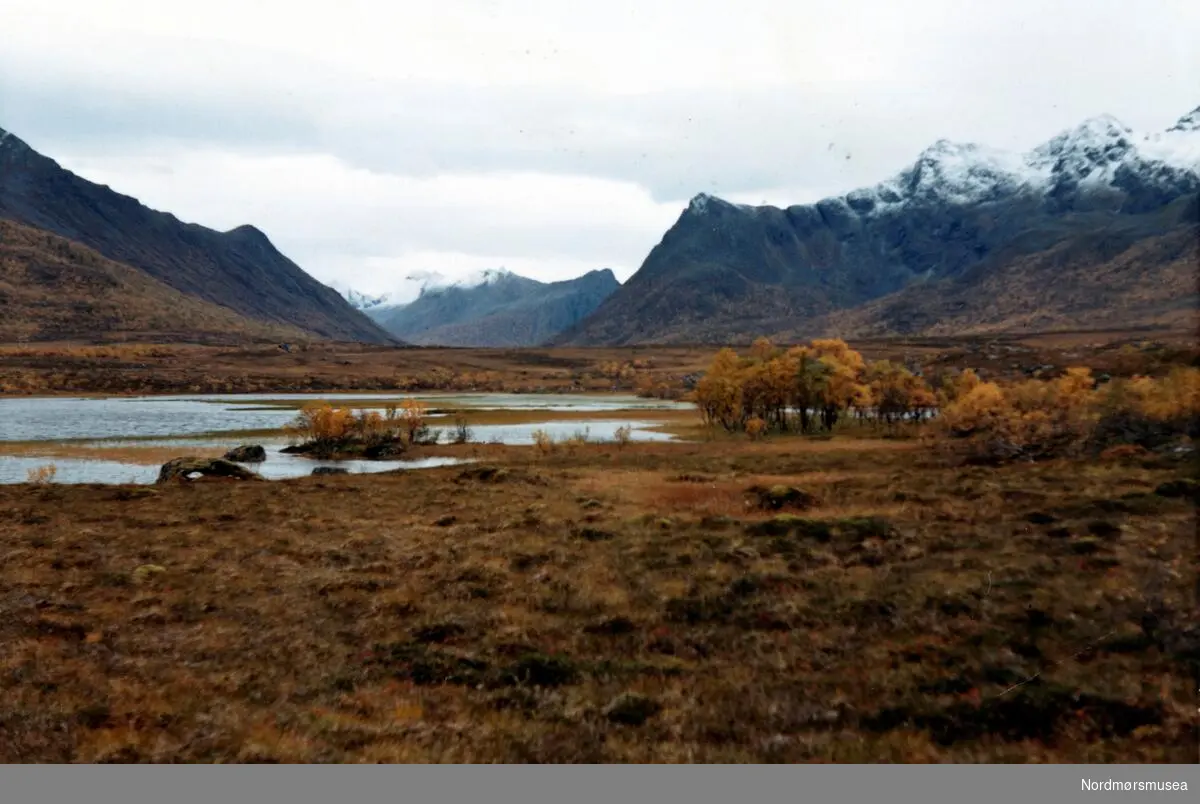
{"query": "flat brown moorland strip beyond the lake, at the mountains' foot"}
pixel 327 367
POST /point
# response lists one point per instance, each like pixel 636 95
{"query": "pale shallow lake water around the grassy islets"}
pixel 173 422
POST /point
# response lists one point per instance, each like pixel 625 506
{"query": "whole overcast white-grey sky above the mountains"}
pixel 371 141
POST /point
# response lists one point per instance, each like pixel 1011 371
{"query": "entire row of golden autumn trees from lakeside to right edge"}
pixel 812 388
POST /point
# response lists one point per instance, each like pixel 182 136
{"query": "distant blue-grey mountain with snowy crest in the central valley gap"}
pixel 497 309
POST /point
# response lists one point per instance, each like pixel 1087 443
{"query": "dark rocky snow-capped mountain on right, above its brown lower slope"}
pixel 730 272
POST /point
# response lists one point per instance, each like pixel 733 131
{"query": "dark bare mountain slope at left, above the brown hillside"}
pixel 239 271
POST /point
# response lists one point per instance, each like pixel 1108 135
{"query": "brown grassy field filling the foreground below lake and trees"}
pixel 610 605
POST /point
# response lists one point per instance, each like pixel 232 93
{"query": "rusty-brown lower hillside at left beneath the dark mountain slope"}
pixel 56 290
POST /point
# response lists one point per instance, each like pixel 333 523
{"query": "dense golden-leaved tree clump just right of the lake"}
pixel 807 388
